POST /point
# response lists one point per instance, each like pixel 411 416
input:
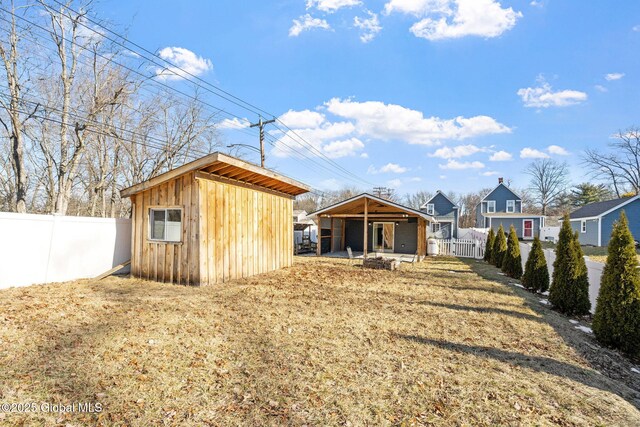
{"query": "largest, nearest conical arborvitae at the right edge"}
pixel 616 322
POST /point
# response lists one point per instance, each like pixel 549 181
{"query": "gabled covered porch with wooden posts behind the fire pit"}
pixel 370 225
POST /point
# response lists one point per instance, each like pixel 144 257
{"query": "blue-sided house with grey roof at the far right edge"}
pixel 594 221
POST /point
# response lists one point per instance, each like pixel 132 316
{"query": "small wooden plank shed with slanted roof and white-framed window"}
pixel 215 219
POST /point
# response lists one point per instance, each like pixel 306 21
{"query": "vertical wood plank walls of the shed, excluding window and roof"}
pixel 228 231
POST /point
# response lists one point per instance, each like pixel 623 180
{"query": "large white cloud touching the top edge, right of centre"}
pixel 446 19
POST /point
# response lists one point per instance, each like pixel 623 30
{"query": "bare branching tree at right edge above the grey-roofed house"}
pixel 621 166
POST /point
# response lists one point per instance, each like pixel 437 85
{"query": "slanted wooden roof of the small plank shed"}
pixel 230 168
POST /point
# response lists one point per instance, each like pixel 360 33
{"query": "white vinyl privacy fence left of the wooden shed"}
pixel 52 248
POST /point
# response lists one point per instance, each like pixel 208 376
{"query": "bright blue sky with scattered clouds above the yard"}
pixel 413 94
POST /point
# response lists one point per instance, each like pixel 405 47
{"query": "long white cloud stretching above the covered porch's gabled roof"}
pixel 394 122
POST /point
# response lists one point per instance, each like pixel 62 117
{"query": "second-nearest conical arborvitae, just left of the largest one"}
pixel 569 291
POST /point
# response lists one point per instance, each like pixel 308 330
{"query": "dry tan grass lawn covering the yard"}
pixel 443 342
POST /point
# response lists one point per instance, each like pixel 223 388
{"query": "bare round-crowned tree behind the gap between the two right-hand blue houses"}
pixel 549 180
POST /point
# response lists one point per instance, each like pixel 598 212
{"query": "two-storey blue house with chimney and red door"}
pixel 503 206
